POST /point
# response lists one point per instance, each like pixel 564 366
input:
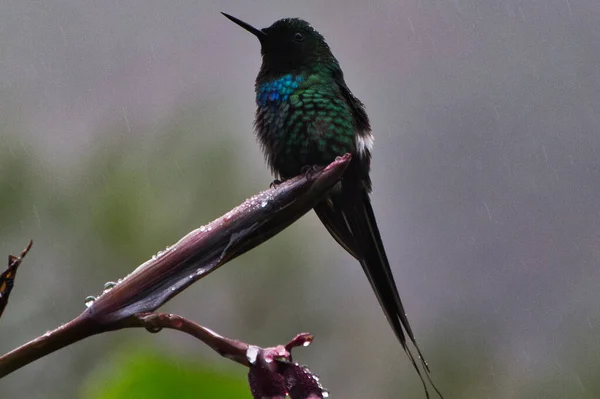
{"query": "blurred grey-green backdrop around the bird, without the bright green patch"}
pixel 125 124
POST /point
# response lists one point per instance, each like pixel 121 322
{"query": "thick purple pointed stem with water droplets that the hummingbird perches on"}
pixel 194 256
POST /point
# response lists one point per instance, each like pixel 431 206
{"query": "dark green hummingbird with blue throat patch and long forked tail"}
pixel 307 116
